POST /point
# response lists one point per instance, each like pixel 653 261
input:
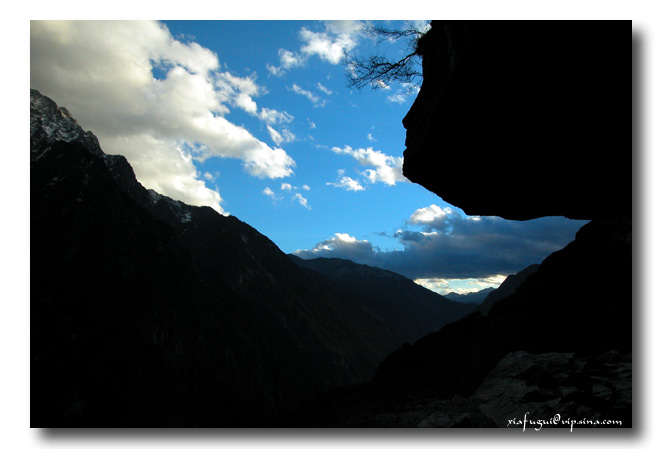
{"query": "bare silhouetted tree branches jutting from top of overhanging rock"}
pixel 379 70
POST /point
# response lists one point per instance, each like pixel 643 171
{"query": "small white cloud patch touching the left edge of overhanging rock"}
pixel 386 169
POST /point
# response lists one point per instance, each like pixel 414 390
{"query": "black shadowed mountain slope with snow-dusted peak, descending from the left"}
pixel 149 312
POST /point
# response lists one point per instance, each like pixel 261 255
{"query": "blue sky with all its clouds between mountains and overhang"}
pixel 254 119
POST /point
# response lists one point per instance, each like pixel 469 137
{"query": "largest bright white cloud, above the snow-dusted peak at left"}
pixel 158 101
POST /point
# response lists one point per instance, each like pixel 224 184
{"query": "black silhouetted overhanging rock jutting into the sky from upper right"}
pixel 525 119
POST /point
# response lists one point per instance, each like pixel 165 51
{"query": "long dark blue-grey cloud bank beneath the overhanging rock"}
pixel 441 243
